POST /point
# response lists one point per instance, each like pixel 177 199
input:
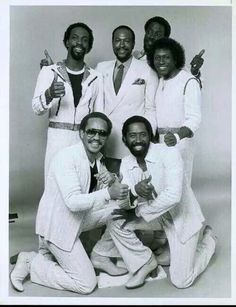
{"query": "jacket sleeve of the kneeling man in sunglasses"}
pixel 68 179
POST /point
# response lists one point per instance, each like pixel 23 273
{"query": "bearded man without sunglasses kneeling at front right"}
pixel 163 197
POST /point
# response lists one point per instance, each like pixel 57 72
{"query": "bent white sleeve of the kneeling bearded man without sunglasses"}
pixel 171 194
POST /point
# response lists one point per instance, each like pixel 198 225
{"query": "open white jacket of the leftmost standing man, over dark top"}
pixel 63 109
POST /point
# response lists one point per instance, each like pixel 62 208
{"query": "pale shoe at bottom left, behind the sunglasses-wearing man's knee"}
pixel 21 269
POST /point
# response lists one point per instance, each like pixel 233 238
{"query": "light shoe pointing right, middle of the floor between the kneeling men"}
pixel 104 264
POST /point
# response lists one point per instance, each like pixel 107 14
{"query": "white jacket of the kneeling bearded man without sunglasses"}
pixel 165 165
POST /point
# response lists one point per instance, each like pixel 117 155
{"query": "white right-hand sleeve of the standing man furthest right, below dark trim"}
pixel 192 104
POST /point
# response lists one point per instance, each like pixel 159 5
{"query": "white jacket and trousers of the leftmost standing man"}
pixel 62 110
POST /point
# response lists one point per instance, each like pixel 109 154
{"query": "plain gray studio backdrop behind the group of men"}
pixel 34 28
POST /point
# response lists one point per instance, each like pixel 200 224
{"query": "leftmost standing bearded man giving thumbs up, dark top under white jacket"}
pixel 67 90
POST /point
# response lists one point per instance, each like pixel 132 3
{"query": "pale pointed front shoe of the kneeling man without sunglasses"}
pixel 138 279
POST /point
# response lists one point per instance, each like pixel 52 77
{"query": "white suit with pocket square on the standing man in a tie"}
pixel 135 97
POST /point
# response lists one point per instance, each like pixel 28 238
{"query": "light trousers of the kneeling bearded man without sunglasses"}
pixel 187 260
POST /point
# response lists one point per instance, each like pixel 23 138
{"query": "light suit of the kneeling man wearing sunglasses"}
pixel 65 210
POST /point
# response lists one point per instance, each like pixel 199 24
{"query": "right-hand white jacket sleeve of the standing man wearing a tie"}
pixel 150 91
